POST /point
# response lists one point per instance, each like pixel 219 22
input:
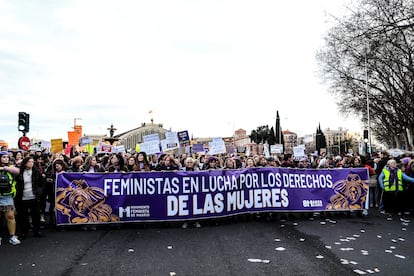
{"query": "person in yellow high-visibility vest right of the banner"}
pixel 391 182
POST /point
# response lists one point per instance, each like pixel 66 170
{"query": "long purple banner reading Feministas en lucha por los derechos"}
pixel 83 198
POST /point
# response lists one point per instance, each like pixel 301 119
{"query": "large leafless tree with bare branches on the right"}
pixel 368 58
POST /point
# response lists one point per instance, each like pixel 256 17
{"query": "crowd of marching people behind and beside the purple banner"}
pixel 32 176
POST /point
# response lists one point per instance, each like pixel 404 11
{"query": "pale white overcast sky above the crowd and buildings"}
pixel 208 67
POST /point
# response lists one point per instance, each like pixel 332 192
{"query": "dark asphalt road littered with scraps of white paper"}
pixel 300 245
